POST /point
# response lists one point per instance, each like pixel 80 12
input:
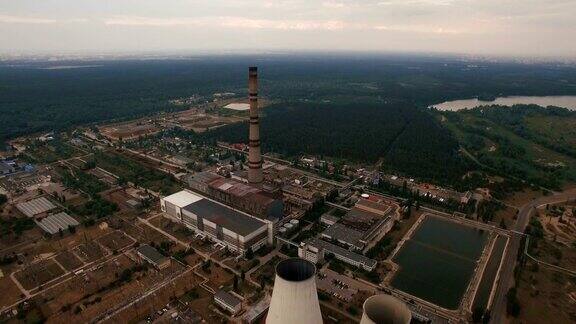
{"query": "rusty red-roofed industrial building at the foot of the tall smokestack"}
pixel 245 197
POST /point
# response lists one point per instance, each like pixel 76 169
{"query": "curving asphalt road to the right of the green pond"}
pixel 507 272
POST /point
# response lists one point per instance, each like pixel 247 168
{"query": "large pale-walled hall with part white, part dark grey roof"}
pixel 232 228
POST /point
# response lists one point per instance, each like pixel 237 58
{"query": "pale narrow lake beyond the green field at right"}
pixel 559 101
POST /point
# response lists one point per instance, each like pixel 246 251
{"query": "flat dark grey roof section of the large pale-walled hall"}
pixel 228 218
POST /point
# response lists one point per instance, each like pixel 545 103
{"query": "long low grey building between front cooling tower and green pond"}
pixel 306 250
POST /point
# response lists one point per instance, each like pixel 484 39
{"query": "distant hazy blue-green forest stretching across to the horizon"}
pixel 38 96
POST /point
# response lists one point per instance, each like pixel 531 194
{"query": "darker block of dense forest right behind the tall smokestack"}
pixel 396 133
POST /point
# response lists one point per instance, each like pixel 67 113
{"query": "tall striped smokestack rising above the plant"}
pixel 254 155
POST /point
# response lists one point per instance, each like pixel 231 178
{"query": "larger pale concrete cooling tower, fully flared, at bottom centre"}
pixel 294 298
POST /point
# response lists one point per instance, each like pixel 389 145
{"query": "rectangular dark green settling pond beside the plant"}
pixel 437 263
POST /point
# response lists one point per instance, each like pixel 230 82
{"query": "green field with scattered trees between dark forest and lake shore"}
pixel 525 142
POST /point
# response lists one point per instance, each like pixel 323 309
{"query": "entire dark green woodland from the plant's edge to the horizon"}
pixel 360 107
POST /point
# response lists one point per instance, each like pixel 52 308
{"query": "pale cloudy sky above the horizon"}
pixel 498 27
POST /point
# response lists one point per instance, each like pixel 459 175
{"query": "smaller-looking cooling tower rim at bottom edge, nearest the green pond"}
pixel 385 309
